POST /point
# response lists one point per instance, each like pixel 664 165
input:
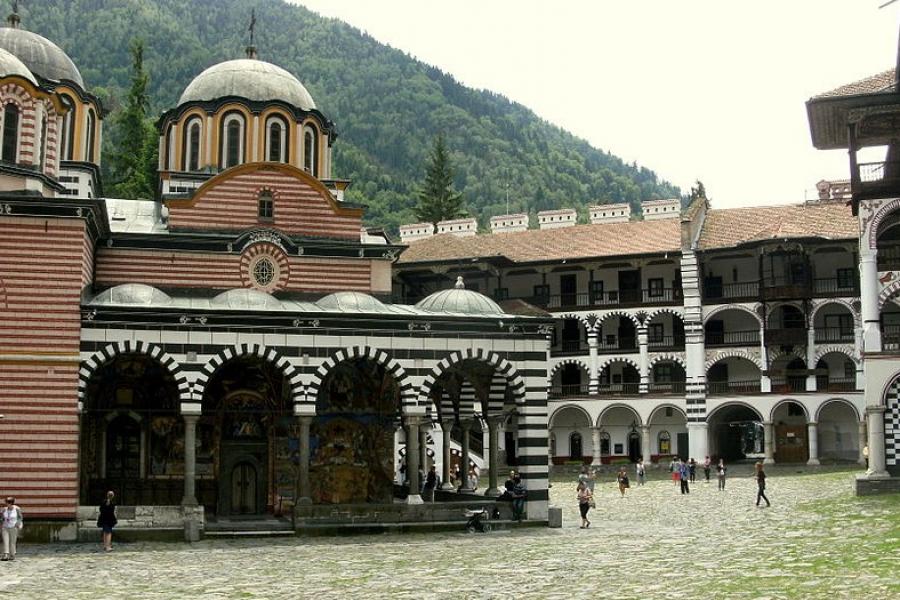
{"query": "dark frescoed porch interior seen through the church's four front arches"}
pixel 249 445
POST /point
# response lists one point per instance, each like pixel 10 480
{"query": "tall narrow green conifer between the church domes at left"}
pixel 134 156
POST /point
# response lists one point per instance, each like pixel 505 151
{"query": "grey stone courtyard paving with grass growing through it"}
pixel 817 541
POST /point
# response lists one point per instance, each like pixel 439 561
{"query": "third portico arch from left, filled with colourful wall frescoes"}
pixel 352 436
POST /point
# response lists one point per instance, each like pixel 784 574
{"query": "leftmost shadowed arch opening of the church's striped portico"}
pixel 132 435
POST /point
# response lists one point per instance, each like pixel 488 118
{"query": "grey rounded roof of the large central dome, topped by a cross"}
pixel 255 80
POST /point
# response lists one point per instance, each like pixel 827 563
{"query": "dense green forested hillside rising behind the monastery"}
pixel 388 107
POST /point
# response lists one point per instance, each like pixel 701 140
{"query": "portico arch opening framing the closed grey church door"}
pixel 247 441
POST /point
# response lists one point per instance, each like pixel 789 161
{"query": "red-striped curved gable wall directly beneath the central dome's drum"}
pixel 229 202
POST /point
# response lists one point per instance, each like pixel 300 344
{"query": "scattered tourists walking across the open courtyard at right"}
pixel 683 473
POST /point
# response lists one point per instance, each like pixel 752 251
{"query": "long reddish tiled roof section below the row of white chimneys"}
pixel 577 241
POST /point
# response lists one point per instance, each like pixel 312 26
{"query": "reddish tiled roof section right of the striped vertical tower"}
pixel 726 228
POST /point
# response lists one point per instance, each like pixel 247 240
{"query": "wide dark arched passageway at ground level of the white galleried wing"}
pixel 735 433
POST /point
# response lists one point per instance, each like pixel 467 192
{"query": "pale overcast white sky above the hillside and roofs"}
pixel 714 90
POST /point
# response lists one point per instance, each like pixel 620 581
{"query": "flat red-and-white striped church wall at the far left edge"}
pixel 45 264
